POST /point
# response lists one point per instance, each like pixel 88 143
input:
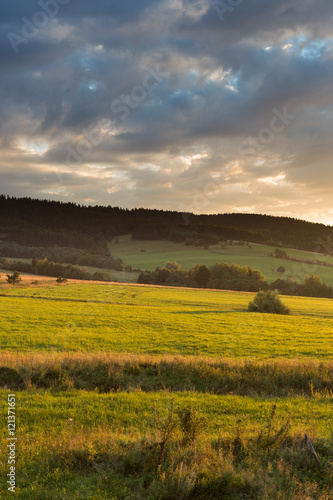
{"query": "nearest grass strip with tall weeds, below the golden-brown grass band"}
pixel 86 445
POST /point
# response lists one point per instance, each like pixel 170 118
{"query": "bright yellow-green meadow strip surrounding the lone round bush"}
pixel 156 320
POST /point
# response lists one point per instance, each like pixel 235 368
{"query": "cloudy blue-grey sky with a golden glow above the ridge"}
pixel 205 106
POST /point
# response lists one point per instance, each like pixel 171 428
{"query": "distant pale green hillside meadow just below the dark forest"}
pixel 150 254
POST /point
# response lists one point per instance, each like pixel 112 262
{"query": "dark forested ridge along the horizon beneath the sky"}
pixel 33 222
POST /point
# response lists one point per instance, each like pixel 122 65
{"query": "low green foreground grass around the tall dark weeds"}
pixel 87 445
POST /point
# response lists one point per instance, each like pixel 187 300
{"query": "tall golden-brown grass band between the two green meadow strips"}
pixel 107 372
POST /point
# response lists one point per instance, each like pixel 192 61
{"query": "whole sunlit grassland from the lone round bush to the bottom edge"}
pixel 131 392
